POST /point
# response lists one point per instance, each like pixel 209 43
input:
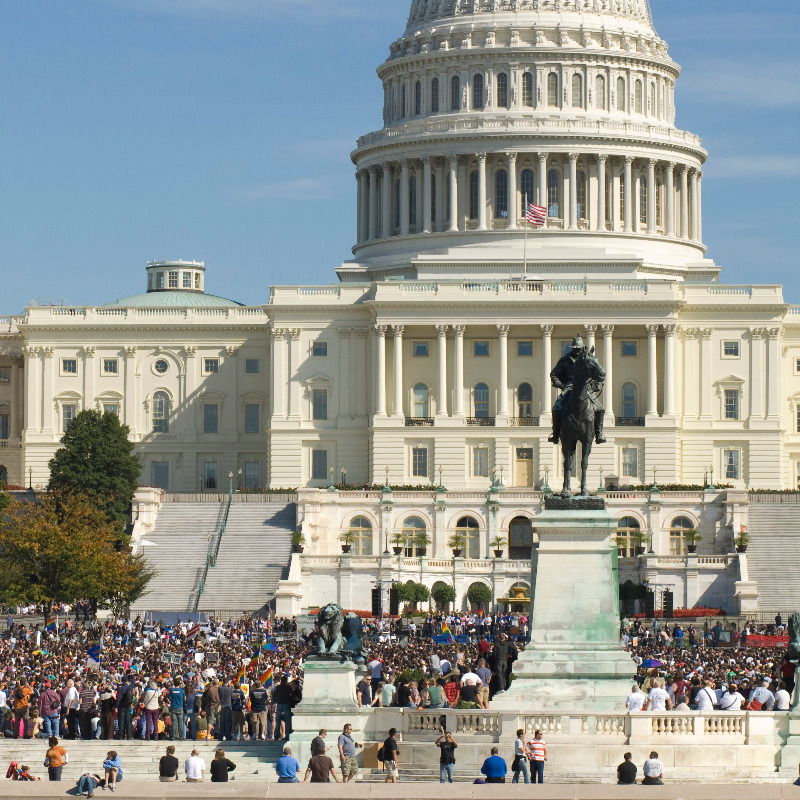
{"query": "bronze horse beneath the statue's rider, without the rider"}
pixel 577 420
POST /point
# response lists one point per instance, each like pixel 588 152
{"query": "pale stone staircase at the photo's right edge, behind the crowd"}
pixel 773 557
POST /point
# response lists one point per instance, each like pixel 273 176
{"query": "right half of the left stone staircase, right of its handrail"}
pixel 253 556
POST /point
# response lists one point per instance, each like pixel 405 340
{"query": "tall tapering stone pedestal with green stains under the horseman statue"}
pixel 575 661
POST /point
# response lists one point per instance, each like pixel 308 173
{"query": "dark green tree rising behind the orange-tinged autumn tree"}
pixel 97 460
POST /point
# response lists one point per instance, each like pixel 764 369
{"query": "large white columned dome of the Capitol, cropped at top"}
pixel 566 104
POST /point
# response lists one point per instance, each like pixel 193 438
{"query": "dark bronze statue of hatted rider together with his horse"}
pixel 577 413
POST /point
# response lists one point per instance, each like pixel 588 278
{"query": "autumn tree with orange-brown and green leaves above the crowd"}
pixel 63 548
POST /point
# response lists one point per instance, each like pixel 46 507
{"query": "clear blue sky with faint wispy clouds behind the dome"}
pixel 221 130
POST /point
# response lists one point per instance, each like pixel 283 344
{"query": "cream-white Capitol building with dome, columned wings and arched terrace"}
pixel 427 363
